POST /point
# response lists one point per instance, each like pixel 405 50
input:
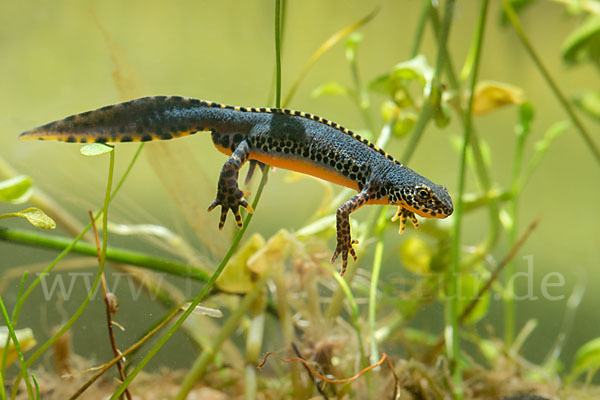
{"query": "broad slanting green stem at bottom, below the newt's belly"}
pixel 208 354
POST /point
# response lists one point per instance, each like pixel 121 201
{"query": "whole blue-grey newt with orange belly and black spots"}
pixel 283 138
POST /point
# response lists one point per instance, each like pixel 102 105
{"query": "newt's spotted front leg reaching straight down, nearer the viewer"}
pixel 344 240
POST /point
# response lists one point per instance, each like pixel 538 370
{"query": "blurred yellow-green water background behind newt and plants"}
pixel 54 62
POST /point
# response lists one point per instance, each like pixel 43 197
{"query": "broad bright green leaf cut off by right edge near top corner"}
pixel 584 42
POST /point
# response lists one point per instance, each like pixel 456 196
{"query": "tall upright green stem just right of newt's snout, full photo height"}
pixel 452 321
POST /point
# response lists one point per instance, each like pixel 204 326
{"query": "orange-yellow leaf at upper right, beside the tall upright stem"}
pixel 491 95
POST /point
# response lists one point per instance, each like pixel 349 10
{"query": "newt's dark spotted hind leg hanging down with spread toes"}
pixel 229 195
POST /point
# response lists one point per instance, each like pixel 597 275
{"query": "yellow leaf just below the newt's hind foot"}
pixel 236 277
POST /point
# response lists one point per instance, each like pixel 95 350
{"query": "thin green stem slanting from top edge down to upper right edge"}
pixel 514 19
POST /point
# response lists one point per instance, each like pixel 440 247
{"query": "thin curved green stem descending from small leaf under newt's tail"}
pixel 87 300
